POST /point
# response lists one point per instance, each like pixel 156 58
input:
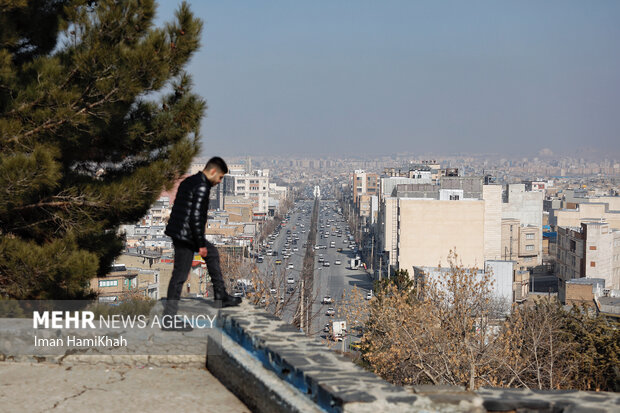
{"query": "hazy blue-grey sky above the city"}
pixel 352 77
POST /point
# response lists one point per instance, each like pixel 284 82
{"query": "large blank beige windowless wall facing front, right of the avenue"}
pixel 429 229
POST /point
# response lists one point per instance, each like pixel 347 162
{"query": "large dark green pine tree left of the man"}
pixel 97 116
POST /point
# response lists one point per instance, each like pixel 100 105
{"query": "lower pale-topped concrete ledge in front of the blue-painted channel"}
pixel 260 389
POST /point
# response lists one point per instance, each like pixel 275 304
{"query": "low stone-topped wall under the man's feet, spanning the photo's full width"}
pixel 272 367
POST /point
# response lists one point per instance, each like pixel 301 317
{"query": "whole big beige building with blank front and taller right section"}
pixel 421 232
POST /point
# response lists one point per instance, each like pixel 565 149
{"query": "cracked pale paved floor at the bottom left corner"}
pixel 28 387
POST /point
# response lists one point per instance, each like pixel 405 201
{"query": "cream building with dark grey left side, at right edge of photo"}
pixel 591 250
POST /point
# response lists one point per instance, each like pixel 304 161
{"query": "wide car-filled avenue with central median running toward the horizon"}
pixel 332 280
